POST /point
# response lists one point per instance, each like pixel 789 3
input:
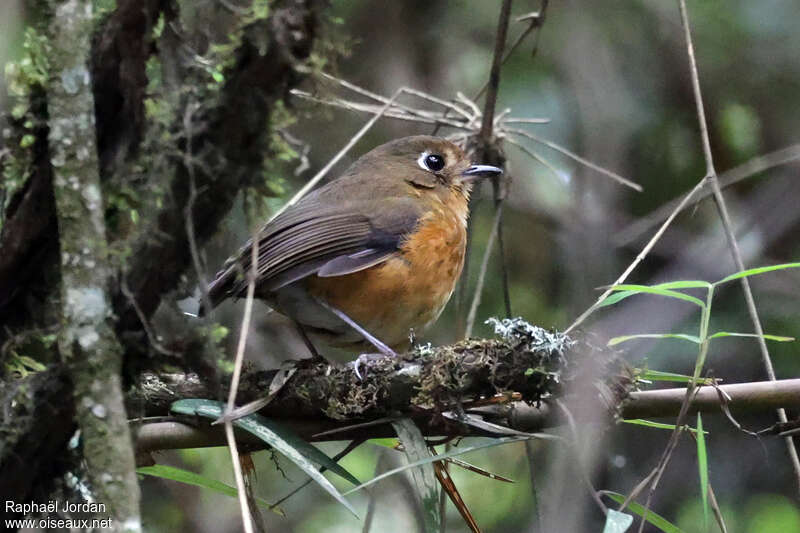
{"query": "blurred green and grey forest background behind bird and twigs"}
pixel 613 79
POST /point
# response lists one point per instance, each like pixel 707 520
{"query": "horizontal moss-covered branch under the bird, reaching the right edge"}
pixel 320 400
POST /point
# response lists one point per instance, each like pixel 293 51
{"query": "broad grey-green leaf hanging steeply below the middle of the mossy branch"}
pixel 424 476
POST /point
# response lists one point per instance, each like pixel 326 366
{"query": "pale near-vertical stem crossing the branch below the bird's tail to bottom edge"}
pixel 247 519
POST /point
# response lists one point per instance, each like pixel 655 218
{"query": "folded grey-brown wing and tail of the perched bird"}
pixel 312 238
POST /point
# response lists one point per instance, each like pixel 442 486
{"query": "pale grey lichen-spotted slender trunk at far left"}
pixel 87 340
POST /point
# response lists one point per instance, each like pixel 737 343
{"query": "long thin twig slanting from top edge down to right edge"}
pixel 728 227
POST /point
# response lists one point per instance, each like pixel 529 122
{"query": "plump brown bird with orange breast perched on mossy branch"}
pixel 369 257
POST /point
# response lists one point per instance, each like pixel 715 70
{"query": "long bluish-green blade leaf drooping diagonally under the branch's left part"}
pixel 301 453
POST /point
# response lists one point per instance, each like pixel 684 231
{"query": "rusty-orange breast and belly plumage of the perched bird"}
pixel 409 290
